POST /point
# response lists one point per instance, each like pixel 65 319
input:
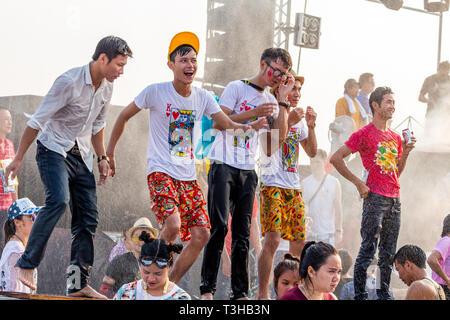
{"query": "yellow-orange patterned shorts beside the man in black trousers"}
pixel 283 211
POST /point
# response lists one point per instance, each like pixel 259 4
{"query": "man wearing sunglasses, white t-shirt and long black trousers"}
pixel 232 178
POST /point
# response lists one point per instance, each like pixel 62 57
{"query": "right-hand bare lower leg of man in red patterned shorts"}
pixel 187 257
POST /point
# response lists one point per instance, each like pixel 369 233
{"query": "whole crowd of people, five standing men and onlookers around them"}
pixel 255 117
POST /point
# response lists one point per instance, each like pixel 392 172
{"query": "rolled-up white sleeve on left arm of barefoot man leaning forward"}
pixel 57 97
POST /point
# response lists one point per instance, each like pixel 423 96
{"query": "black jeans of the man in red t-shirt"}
pixel 380 226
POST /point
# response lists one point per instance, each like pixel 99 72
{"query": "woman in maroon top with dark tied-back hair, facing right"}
pixel 320 272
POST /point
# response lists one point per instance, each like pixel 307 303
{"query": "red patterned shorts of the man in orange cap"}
pixel 185 197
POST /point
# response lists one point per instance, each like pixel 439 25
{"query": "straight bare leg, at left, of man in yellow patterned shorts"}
pixel 265 260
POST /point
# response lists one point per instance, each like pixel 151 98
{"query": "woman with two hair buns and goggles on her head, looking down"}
pixel 155 260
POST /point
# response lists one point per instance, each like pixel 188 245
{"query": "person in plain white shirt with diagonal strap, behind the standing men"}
pixel 322 195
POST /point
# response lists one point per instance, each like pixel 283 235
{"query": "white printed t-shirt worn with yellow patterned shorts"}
pixel 281 168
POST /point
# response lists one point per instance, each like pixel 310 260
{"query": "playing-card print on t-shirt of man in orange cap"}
pixel 180 132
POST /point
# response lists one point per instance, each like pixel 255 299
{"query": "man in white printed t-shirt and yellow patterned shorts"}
pixel 282 207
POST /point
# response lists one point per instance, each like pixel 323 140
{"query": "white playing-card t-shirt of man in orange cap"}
pixel 172 119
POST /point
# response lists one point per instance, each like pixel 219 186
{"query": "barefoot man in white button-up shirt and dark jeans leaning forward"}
pixel 71 115
